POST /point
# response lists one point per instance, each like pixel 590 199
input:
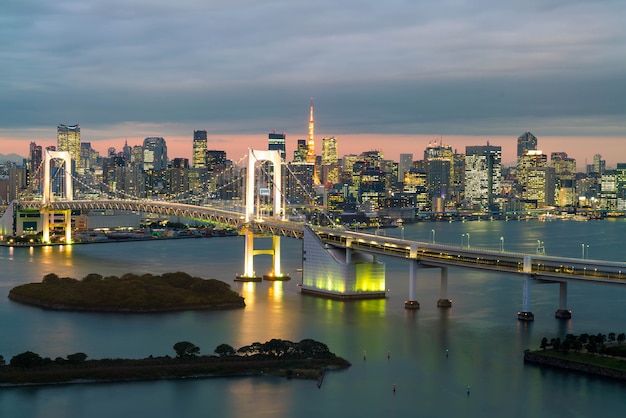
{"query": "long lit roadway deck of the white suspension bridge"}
pixel 540 267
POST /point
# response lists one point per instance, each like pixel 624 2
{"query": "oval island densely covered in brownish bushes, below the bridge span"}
pixel 128 293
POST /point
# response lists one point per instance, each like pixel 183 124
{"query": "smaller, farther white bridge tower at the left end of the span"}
pixel 50 216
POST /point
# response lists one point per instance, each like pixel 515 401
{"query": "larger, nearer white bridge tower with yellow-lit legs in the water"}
pixel 252 216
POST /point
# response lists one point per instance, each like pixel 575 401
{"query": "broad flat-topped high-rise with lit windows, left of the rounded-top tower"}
pixel 483 174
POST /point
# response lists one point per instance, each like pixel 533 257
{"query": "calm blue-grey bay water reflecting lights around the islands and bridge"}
pixel 481 334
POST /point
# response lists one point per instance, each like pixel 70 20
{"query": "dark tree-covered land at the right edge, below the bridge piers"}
pixel 597 354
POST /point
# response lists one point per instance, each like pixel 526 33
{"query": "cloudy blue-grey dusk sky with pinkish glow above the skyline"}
pixel 391 74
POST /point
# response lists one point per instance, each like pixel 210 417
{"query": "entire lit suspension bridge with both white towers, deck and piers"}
pixel 337 263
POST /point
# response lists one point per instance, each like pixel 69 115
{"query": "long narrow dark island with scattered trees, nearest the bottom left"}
pixel 307 359
